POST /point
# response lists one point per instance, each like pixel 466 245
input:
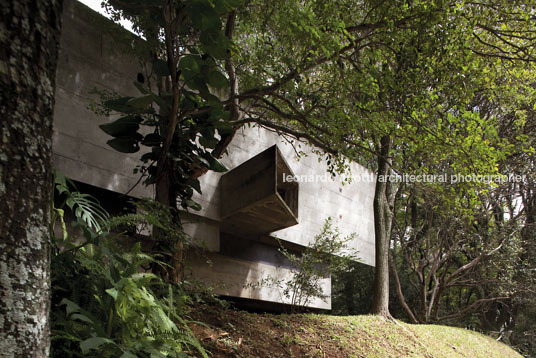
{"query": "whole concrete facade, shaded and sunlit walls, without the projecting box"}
pixel 90 58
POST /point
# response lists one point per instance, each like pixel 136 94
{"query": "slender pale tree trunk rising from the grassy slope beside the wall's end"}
pixel 382 230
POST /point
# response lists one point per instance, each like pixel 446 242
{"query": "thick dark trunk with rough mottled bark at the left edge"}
pixel 29 34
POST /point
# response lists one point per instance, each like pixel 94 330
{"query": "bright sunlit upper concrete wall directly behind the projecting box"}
pixel 350 205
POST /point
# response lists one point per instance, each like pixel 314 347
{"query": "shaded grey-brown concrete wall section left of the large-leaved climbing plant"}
pixel 90 58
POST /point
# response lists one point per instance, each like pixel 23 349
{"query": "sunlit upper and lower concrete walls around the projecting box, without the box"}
pixel 350 206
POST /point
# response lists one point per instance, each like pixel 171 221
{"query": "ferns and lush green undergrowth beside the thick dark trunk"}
pixel 104 301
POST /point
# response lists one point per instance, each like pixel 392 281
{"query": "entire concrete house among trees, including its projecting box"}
pixel 243 210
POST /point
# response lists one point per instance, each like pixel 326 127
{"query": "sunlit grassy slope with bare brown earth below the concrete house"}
pixel 227 333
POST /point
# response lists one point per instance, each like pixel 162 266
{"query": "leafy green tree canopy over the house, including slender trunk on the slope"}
pixel 401 87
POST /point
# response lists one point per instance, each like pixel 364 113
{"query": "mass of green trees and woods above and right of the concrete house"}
pixel 420 87
